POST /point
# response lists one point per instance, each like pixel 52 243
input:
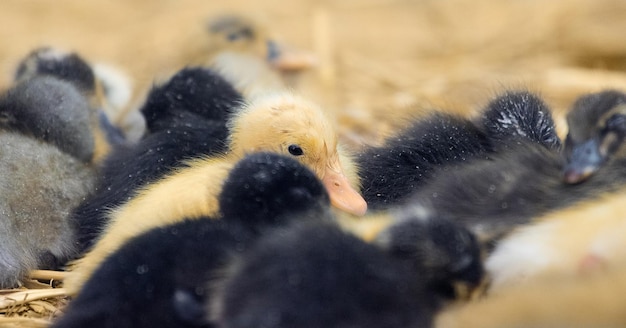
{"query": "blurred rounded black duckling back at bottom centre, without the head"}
pixel 316 275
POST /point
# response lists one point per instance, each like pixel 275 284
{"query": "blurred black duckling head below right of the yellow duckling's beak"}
pixel 445 253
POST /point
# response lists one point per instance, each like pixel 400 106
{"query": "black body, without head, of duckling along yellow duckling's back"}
pixel 131 167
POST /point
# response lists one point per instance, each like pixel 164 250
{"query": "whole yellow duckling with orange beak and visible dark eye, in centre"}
pixel 281 123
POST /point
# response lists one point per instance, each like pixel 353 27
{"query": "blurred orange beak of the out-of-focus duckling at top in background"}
pixel 287 59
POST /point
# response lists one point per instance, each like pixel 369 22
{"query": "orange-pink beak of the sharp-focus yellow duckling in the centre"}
pixel 342 195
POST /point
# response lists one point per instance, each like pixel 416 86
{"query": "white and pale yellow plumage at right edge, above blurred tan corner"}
pixel 560 242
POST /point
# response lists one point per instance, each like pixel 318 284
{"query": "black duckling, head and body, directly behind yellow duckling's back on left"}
pixel 186 118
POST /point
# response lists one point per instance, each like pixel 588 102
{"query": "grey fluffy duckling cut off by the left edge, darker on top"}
pixel 44 154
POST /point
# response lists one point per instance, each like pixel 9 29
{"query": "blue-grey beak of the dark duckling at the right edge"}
pixel 585 160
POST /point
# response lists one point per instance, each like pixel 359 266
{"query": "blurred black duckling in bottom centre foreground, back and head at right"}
pixel 314 274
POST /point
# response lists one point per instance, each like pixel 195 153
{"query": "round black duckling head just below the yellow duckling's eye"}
pixel 269 189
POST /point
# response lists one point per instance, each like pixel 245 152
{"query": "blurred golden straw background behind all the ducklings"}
pixel 378 61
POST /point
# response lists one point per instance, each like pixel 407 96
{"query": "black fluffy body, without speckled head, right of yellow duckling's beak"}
pixel 391 172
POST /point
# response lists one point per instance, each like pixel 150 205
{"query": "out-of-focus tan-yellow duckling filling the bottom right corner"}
pixel 595 300
